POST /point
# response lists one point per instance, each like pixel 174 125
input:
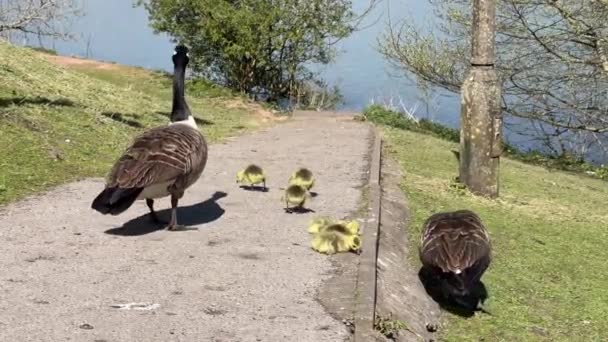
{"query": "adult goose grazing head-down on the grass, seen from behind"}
pixel 455 246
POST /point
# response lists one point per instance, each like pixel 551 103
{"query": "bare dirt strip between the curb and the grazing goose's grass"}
pixel 400 295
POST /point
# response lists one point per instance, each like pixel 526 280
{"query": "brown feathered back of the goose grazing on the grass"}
pixel 454 241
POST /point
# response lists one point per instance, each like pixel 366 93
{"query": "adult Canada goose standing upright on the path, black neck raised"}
pixel 163 161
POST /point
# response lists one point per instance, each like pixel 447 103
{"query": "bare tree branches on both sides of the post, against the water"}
pixel 552 58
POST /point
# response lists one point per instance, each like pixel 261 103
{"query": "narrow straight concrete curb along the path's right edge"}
pixel 365 296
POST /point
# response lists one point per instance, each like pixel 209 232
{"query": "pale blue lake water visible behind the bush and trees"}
pixel 113 30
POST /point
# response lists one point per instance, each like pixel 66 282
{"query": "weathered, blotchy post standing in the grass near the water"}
pixel 481 117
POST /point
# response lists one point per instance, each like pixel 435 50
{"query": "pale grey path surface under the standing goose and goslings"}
pixel 247 273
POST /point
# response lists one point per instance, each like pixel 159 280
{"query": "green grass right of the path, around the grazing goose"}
pixel 548 277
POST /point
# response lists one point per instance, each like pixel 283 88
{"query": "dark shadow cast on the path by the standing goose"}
pixel 200 213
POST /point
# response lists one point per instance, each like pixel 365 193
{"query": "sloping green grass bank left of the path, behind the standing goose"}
pixel 62 123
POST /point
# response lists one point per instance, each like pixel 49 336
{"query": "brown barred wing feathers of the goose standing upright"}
pixel 159 155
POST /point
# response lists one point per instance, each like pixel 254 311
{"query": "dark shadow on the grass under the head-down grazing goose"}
pixel 457 305
